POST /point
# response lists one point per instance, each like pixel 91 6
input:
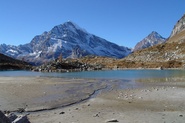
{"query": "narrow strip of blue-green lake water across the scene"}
pixel 109 74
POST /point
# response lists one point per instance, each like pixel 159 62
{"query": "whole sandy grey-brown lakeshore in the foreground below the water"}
pixel 116 101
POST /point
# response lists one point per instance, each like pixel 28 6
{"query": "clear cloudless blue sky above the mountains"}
pixel 124 22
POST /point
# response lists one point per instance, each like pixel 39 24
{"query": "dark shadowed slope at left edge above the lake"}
pixel 7 63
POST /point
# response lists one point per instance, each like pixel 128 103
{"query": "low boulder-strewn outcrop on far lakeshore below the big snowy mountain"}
pixel 86 63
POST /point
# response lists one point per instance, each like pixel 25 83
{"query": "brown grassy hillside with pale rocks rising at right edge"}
pixel 167 55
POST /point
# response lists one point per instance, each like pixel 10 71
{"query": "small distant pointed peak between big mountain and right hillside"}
pixel 152 39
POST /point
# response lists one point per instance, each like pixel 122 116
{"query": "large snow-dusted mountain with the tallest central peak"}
pixel 67 39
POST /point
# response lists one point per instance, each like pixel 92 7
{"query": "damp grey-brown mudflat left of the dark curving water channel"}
pixel 39 93
